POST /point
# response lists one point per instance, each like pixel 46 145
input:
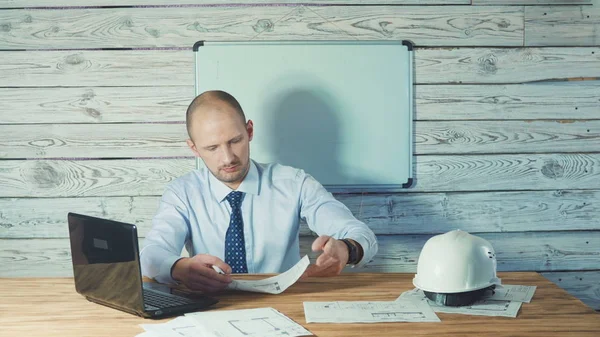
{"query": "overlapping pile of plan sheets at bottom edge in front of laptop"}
pixel 261 322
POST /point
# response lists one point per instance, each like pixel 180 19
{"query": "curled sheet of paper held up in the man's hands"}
pixel 275 284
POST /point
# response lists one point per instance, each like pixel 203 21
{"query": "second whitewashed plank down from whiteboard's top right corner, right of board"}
pixel 557 100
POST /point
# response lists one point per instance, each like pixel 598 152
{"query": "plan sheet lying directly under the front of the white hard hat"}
pixel 484 307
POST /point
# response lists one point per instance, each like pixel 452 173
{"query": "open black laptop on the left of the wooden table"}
pixel 106 267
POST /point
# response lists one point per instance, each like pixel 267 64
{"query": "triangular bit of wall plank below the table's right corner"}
pixel 585 285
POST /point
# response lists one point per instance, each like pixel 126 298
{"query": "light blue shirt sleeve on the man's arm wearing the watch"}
pixel 326 215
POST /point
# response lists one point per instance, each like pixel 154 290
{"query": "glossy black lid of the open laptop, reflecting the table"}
pixel 106 261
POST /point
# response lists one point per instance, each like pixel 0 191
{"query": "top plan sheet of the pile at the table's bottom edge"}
pixel 260 322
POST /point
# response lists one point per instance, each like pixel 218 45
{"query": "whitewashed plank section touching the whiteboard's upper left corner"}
pixel 144 68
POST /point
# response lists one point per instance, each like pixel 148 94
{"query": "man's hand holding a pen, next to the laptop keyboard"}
pixel 197 273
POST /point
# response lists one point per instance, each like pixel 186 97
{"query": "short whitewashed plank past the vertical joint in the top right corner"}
pixel 562 26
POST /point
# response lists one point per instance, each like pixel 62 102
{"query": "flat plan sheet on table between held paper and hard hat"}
pixel 368 312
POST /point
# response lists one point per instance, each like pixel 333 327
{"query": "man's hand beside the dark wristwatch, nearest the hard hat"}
pixel 333 259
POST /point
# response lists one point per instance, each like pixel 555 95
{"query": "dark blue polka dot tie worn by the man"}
pixel 235 249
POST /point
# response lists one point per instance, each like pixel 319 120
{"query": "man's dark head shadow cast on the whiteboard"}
pixel 306 129
